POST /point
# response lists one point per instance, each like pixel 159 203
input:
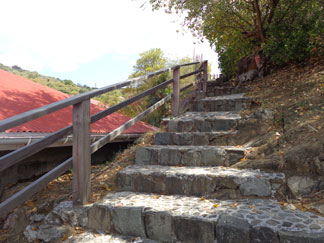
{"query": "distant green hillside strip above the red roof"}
pixel 65 86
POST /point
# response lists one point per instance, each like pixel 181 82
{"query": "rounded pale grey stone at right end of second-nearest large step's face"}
pixel 256 187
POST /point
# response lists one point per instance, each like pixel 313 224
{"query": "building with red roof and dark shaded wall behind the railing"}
pixel 18 95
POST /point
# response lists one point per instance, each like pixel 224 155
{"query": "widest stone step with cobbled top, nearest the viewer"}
pixel 191 219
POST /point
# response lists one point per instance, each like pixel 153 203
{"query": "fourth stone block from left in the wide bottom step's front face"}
pixel 193 230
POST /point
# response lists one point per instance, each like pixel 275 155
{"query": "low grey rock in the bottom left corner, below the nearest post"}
pixel 46 233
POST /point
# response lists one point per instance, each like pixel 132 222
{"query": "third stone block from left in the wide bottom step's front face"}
pixel 158 226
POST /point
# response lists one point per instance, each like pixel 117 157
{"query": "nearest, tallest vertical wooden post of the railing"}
pixel 81 153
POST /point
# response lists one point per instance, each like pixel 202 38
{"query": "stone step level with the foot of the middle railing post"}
pixel 204 122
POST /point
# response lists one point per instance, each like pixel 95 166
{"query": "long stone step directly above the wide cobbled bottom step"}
pixel 210 182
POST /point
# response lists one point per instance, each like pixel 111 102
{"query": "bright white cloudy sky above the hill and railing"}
pixel 91 42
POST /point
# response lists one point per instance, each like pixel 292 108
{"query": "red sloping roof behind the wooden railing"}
pixel 18 95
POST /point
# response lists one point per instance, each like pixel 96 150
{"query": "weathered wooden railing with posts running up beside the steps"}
pixel 80 128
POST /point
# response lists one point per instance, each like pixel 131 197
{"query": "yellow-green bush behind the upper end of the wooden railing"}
pixel 149 61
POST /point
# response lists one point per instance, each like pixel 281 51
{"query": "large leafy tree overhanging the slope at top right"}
pixel 239 27
